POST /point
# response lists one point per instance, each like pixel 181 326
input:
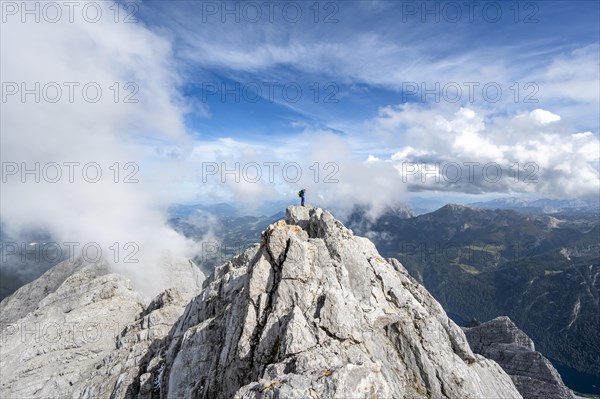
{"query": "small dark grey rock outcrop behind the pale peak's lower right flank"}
pixel 534 376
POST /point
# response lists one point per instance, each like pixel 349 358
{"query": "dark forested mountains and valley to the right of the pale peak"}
pixel 541 271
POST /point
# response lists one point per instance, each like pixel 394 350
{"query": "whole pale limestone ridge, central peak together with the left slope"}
pixel 312 311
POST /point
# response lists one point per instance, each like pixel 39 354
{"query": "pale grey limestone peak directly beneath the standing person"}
pixel 314 312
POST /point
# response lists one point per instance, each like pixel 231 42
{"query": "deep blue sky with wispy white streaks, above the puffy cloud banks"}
pixel 365 56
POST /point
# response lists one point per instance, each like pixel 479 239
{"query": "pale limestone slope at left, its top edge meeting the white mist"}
pixel 62 331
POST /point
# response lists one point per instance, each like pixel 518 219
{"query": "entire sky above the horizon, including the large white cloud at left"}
pixel 377 135
